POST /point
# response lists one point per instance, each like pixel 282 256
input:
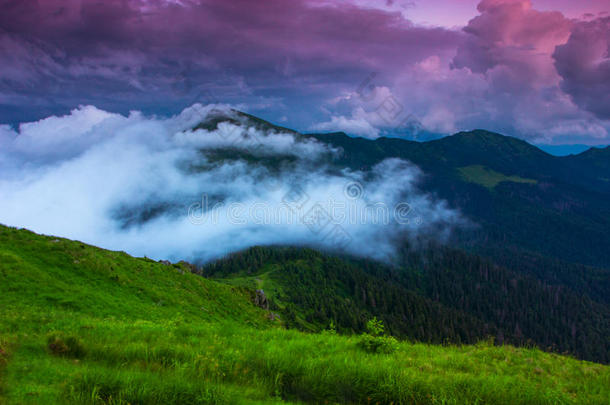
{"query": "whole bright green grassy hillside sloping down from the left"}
pixel 80 324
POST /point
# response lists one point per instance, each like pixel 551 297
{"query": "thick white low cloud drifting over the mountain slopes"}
pixel 153 186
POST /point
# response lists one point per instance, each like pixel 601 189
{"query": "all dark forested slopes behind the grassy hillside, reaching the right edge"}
pixel 437 295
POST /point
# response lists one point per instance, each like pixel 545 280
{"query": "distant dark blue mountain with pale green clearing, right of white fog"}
pixel 548 216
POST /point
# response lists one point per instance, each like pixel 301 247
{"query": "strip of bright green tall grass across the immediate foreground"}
pixel 228 363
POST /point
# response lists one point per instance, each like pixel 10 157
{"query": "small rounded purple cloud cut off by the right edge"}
pixel 584 65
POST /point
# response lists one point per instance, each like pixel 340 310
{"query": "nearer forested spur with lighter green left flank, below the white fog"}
pixel 317 289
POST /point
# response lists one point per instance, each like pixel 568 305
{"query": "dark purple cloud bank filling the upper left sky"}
pixel 157 55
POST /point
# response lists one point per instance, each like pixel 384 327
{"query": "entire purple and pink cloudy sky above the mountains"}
pixel 538 70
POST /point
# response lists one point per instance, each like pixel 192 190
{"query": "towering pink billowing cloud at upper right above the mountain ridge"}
pixel 504 78
